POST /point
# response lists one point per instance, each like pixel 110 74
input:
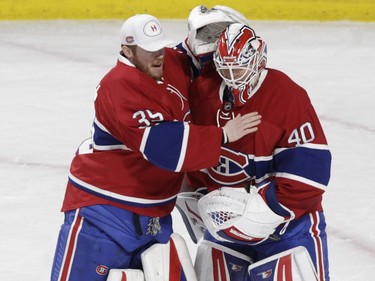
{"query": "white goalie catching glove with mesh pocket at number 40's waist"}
pixel 233 215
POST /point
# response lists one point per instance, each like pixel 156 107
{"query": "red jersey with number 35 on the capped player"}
pixel 141 141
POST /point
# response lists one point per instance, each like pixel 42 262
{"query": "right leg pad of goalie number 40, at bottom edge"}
pixel 294 264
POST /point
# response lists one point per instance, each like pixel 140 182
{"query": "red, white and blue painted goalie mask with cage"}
pixel 239 58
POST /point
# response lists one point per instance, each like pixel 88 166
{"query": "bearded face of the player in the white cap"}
pixel 149 62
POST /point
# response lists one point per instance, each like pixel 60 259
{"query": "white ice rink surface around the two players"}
pixel 48 74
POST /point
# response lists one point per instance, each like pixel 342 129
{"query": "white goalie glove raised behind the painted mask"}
pixel 205 26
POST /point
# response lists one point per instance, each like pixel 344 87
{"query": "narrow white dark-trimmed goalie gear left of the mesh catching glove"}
pixel 187 205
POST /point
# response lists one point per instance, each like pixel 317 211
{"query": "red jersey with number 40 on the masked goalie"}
pixel 288 154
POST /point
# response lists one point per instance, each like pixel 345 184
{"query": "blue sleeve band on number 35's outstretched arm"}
pixel 165 145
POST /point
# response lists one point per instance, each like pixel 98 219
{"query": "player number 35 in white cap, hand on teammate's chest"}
pixel 123 181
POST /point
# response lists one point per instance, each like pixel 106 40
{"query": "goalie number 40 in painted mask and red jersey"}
pixel 278 174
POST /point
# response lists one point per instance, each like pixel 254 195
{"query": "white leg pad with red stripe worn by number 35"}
pixel 168 262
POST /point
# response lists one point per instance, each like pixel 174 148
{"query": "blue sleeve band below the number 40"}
pixel 307 162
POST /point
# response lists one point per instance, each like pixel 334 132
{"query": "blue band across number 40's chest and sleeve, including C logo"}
pixel 309 164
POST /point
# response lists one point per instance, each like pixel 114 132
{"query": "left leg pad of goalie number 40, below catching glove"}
pixel 215 262
